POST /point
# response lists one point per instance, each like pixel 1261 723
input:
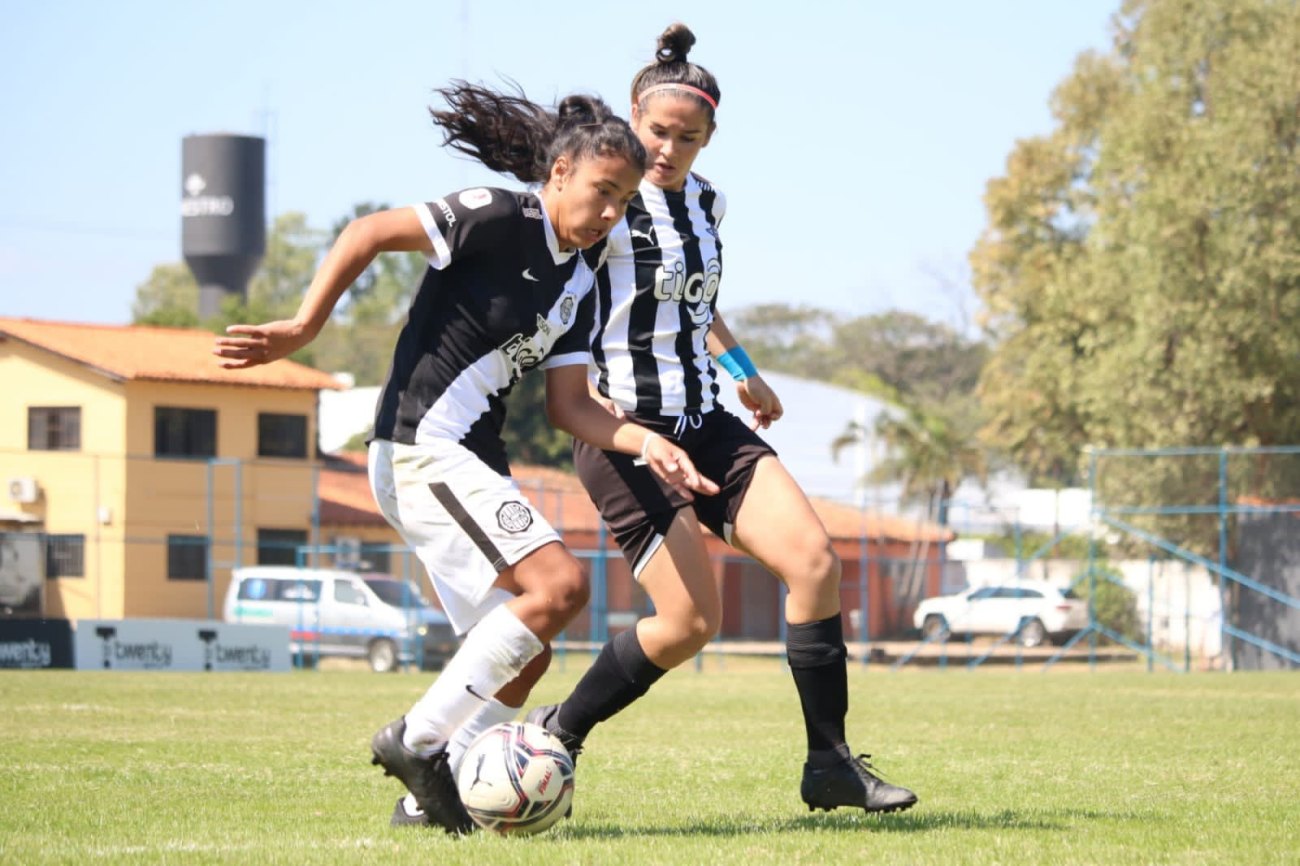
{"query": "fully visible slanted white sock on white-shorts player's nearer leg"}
pixel 493 655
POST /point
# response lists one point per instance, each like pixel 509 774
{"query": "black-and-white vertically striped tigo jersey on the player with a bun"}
pixel 656 300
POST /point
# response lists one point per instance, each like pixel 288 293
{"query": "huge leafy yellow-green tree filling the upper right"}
pixel 1139 269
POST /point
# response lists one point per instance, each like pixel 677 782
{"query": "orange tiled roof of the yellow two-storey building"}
pixel 157 354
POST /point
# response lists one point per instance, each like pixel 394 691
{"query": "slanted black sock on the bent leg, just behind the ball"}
pixel 621 676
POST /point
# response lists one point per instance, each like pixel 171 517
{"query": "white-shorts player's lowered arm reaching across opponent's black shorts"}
pixel 571 409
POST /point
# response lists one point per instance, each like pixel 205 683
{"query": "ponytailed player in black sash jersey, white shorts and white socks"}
pixel 509 289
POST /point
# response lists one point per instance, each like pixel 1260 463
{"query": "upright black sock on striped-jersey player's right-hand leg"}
pixel 817 657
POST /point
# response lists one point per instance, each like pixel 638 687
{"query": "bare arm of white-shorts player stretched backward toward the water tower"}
pixel 357 246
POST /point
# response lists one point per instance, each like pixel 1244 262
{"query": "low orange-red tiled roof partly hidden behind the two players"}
pixel 346 501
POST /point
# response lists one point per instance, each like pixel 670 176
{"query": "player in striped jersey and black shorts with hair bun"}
pixel 653 361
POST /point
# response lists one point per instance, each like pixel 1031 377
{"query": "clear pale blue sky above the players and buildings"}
pixel 855 138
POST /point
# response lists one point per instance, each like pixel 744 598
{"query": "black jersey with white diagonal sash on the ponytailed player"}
pixel 499 298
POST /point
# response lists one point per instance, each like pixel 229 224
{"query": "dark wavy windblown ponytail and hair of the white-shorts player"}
pixel 513 136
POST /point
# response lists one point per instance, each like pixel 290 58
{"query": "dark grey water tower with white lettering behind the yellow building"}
pixel 223 214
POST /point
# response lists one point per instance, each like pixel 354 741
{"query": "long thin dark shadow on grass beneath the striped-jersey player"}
pixel 908 822
